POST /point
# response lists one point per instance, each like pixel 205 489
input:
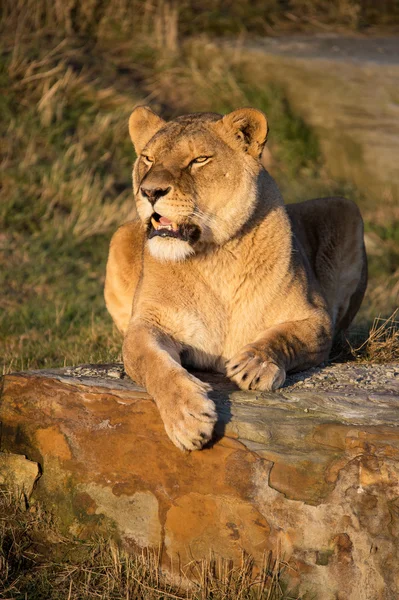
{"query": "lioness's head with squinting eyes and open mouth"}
pixel 194 179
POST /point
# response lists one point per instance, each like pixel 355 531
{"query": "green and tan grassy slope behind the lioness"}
pixel 66 174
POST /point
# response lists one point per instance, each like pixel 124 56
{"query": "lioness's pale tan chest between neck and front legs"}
pixel 211 311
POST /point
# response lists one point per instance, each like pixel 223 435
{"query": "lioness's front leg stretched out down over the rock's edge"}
pixel 152 359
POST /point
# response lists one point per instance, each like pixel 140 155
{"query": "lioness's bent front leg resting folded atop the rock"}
pixel 290 346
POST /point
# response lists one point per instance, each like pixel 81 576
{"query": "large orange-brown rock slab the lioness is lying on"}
pixel 310 472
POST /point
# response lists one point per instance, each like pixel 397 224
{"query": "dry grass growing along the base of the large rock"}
pixel 38 562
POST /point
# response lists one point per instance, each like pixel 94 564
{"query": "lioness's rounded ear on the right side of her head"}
pixel 249 126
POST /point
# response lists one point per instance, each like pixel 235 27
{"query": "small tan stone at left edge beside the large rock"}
pixel 18 473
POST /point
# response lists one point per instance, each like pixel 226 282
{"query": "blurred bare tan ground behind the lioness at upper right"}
pixel 347 89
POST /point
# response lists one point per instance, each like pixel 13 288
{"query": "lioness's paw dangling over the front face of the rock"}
pixel 188 414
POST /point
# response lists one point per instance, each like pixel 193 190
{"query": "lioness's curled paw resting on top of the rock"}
pixel 251 370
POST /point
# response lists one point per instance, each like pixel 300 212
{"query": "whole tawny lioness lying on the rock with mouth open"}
pixel 217 273
